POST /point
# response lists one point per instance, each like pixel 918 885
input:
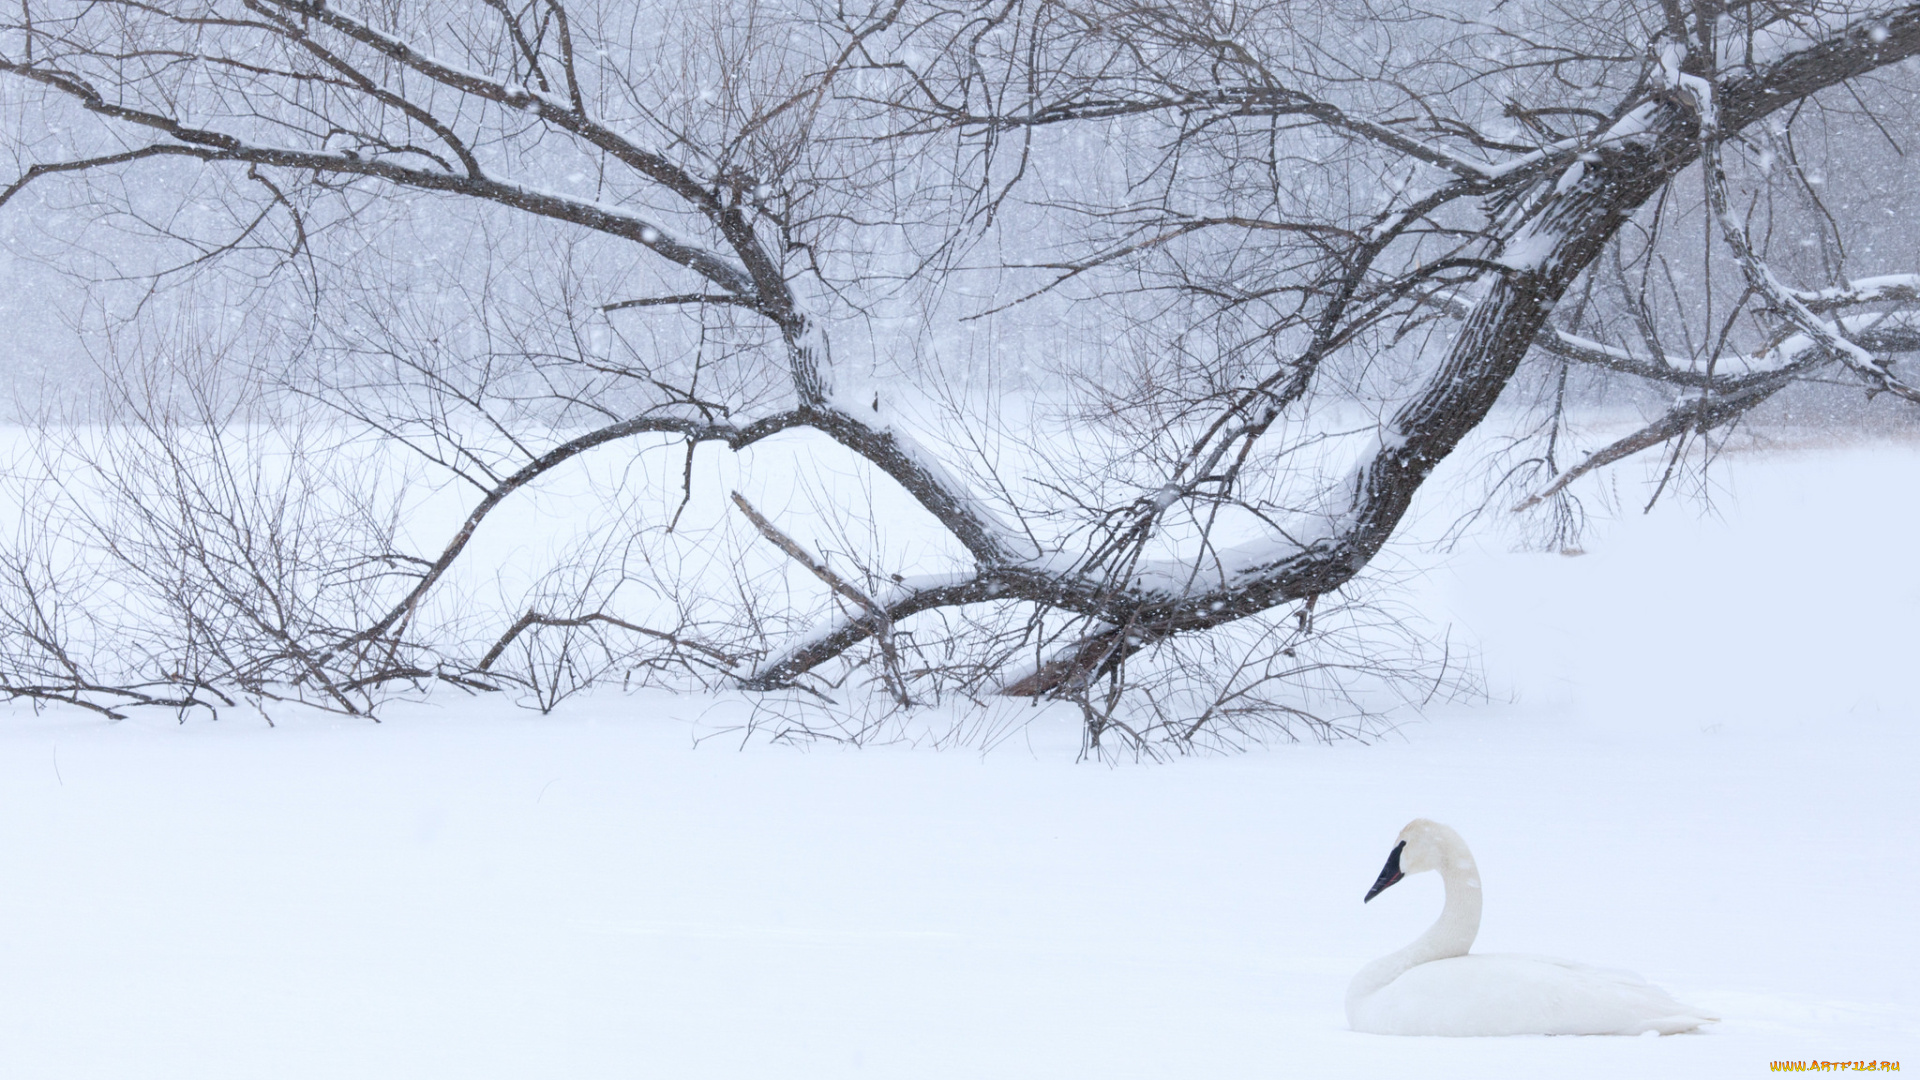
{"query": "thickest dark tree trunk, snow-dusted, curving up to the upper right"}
pixel 1577 203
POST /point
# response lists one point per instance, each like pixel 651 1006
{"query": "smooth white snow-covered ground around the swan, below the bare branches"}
pixel 1700 764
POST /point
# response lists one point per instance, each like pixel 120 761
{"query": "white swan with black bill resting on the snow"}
pixel 1435 989
